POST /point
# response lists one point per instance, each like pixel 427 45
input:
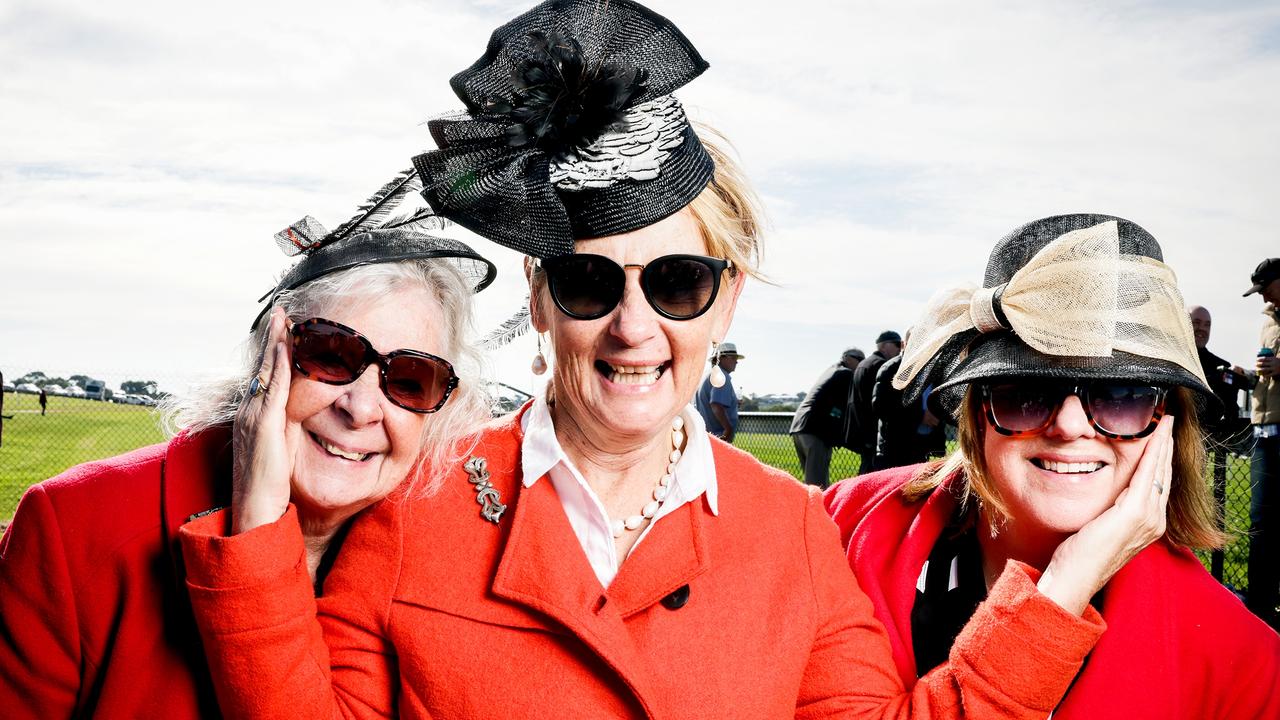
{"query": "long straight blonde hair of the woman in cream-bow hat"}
pixel 1194 516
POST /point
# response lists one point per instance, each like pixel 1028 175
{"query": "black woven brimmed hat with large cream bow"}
pixel 1069 297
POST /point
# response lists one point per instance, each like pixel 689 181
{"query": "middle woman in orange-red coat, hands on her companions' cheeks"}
pixel 600 555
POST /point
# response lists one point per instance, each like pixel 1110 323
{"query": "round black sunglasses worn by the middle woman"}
pixel 680 288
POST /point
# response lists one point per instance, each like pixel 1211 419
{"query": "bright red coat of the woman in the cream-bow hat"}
pixel 1178 645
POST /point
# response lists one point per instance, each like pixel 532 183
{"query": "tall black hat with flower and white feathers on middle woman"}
pixel 572 131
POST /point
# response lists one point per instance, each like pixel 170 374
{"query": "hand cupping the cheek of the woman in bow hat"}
pixel 1086 562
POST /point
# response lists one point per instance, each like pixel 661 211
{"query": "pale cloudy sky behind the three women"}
pixel 149 152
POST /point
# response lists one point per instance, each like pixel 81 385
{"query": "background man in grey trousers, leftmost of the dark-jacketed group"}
pixel 822 420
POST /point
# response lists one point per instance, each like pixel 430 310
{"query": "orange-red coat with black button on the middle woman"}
pixel 433 612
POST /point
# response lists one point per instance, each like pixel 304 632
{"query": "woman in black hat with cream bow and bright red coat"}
pixel 1071 373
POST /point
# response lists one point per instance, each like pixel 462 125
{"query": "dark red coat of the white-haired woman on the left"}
pixel 94 617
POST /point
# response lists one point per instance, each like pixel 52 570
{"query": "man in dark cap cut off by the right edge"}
pixel 1265 468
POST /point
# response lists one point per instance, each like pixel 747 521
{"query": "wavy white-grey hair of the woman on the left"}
pixel 447 435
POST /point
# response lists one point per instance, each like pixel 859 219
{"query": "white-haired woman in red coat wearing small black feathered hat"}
pixel 94 613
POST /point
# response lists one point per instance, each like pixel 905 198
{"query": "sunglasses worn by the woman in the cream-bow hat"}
pixel 1117 411
